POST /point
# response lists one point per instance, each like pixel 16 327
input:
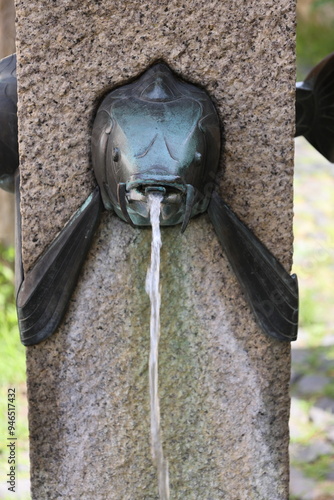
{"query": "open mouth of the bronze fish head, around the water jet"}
pixel 177 201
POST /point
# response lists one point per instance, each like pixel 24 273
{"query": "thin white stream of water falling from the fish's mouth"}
pixel 153 290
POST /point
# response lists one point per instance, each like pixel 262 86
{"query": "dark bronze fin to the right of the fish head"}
pixel 271 292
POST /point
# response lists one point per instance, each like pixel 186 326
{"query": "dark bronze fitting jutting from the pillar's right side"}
pixel 315 107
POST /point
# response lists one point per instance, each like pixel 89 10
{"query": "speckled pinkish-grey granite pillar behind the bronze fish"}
pixel 223 385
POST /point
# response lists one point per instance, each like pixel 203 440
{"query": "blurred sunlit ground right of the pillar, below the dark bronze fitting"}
pixel 312 387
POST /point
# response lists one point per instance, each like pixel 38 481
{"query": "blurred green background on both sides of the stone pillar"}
pixel 312 389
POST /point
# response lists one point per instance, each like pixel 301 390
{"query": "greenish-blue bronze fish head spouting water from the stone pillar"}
pixel 157 134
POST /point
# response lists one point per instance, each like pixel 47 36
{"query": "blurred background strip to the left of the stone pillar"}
pixel 12 353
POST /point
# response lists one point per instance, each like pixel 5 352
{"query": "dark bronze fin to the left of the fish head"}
pixel 45 291
